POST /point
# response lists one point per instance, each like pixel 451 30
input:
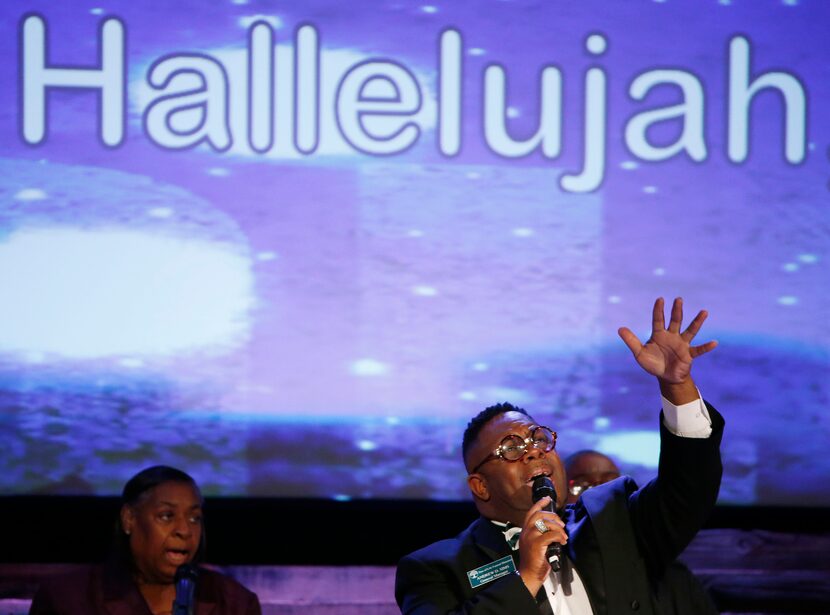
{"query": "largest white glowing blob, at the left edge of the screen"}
pixel 90 294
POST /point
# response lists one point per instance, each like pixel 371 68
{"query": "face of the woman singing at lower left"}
pixel 164 529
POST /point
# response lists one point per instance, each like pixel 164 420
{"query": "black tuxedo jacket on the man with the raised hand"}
pixel 620 539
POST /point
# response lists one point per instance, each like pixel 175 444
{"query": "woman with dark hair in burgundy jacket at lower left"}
pixel 159 531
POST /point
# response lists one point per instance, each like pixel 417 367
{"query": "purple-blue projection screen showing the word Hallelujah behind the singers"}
pixel 292 247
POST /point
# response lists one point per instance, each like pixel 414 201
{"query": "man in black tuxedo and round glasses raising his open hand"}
pixel 616 541
